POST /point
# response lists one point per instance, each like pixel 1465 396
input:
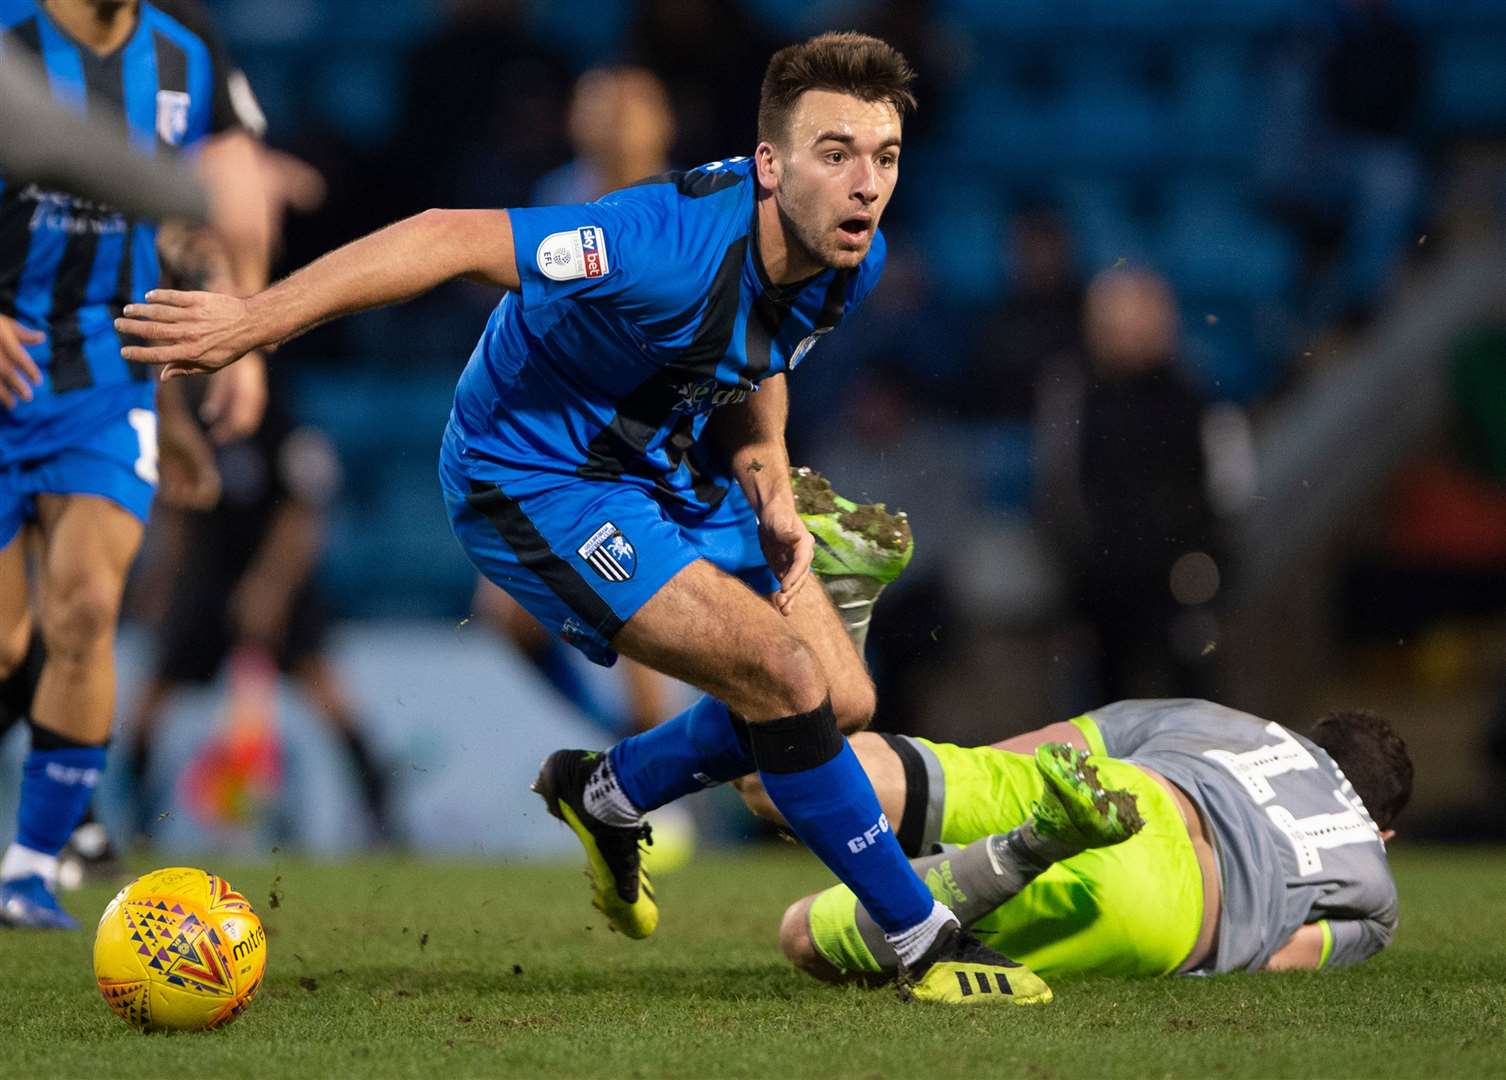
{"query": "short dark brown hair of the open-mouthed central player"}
pixel 847 63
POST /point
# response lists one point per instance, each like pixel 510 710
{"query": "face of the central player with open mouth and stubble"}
pixel 835 174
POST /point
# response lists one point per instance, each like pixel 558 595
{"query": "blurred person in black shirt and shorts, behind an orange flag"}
pixel 245 587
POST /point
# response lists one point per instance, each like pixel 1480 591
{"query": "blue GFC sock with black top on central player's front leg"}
pixel 822 790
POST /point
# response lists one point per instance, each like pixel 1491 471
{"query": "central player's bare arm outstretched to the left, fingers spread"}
pixel 198 332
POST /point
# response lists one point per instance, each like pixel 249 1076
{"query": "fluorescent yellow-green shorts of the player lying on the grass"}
pixel 1133 909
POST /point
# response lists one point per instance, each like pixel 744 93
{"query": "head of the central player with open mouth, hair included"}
pixel 829 126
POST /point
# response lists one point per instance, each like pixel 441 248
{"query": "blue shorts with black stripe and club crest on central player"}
pixel 584 557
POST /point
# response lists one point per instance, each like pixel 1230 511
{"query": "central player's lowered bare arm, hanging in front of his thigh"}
pixel 752 435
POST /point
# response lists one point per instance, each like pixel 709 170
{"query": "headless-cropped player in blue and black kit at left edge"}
pixel 79 435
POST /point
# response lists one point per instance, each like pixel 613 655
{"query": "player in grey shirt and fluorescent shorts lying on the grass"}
pixel 1258 849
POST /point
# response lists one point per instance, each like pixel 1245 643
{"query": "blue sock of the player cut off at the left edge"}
pixel 58 781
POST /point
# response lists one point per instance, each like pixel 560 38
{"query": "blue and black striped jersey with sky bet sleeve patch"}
pixel 639 316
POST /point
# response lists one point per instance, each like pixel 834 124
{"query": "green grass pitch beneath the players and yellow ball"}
pixel 386 969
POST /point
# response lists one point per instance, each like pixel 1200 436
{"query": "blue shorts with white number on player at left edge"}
pixel 117 462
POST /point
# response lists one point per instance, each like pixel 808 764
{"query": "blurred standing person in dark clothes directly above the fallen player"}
pixel 1124 493
